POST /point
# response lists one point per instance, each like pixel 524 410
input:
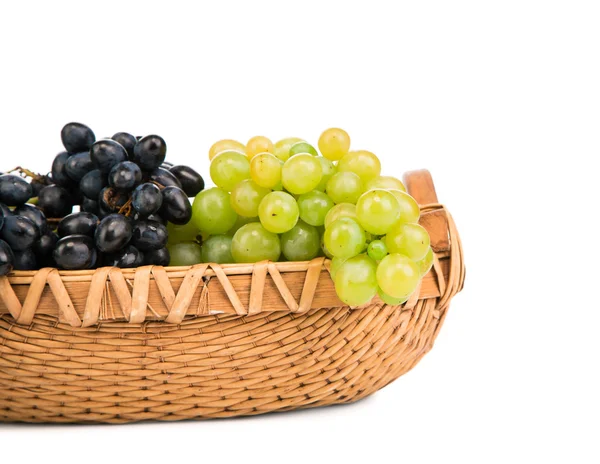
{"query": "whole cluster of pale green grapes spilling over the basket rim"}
pixel 285 201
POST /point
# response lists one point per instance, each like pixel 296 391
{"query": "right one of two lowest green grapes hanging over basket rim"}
pixel 398 275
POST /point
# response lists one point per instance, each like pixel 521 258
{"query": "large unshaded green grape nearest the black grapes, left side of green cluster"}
pixel 212 212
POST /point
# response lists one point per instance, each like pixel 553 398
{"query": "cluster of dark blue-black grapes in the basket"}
pixel 126 195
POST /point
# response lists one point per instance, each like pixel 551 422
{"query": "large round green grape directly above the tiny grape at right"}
pixel 377 211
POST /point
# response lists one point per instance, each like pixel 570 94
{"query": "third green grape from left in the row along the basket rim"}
pixel 252 243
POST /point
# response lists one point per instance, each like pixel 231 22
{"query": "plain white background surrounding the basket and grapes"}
pixel 500 100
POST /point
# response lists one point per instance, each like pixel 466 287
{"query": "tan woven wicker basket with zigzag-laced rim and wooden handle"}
pixel 115 346
